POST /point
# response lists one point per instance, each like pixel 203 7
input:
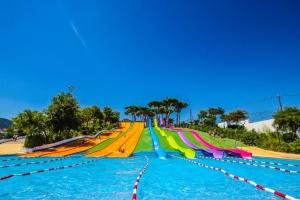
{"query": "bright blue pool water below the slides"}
pixel 113 178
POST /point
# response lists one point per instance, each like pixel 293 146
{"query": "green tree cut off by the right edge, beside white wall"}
pixel 288 120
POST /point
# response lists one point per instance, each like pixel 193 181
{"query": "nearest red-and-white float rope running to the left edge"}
pixel 45 170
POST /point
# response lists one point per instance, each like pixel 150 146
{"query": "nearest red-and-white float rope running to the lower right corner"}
pixel 277 193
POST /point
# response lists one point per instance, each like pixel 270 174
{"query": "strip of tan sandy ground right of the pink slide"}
pixel 272 154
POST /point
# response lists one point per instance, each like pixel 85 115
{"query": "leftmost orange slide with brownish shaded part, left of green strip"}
pixel 77 146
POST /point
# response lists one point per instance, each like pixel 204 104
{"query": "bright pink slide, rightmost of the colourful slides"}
pixel 235 151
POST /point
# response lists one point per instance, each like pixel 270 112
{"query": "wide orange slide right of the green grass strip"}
pixel 131 138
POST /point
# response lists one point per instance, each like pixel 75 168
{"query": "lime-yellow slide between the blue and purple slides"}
pixel 185 151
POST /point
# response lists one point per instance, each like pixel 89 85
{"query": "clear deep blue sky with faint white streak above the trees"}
pixel 234 54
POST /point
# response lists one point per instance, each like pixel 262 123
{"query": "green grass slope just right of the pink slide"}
pixel 219 142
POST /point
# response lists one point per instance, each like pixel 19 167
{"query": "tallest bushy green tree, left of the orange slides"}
pixel 63 115
